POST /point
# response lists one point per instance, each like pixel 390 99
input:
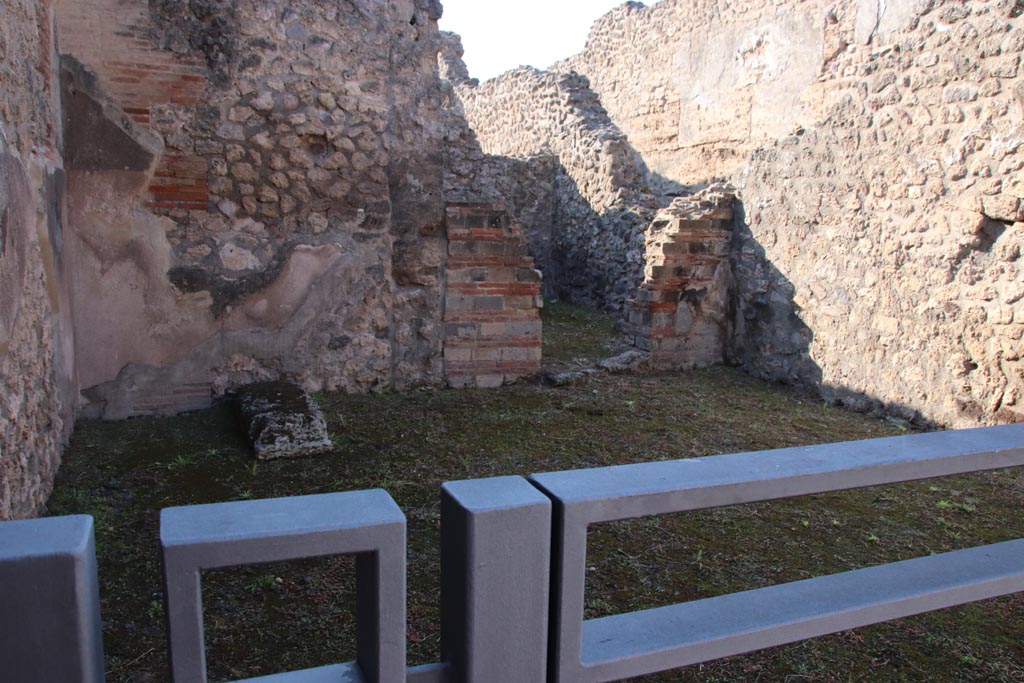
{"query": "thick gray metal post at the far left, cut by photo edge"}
pixel 50 603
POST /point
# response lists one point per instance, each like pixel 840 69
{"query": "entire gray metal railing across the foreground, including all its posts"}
pixel 505 542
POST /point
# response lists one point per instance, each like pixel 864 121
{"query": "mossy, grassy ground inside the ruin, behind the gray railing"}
pixel 278 618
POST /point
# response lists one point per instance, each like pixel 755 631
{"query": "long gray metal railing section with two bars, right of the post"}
pixel 626 646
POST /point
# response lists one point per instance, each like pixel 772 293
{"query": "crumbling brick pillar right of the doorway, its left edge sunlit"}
pixel 680 314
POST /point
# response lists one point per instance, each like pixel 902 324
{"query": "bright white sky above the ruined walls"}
pixel 500 36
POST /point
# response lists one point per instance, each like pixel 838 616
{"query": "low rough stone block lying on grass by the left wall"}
pixel 282 421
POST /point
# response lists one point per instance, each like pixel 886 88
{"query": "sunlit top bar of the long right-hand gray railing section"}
pixel 660 488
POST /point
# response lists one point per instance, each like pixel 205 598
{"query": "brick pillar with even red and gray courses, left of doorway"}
pixel 493 301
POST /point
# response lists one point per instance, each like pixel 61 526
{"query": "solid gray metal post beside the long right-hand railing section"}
pixel 496 565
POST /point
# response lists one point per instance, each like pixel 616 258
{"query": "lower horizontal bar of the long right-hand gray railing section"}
pixel 645 643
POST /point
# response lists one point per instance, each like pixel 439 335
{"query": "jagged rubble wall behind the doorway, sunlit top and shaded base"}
pixel 602 207
